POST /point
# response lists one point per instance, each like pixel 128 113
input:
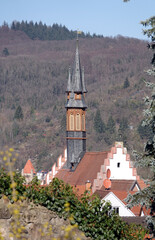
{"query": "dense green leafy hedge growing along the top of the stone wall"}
pixel 91 216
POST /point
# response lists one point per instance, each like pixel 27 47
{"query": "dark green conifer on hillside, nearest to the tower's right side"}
pixel 99 125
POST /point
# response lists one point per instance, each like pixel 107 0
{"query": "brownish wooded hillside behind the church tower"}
pixel 33 79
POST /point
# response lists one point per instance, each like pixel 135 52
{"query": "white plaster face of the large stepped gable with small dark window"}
pixel 122 172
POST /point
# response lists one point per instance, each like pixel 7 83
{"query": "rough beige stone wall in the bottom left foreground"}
pixel 34 218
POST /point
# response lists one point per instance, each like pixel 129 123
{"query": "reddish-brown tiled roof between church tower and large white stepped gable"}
pixel 86 170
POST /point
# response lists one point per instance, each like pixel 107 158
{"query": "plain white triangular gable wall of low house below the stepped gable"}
pixel 116 202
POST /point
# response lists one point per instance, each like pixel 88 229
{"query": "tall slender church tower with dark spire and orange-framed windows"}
pixel 75 113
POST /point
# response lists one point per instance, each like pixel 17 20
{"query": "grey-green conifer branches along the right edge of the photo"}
pixel 146 197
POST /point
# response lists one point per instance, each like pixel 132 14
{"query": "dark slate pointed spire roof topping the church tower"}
pixel 76 83
